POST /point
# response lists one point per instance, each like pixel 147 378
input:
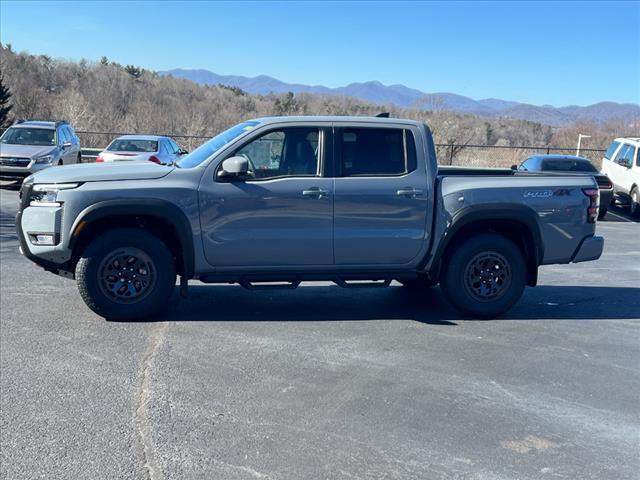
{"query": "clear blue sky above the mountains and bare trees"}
pixel 536 52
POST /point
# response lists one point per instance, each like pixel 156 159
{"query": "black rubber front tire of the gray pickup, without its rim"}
pixel 90 273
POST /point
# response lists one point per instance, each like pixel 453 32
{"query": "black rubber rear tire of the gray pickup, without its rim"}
pixel 453 277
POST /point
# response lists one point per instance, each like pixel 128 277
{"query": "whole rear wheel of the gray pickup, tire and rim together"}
pixel 484 276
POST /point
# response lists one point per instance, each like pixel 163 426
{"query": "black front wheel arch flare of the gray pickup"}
pixel 160 217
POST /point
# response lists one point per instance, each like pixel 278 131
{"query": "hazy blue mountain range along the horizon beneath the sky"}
pixel 403 96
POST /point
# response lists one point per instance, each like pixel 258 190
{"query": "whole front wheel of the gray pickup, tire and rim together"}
pixel 126 274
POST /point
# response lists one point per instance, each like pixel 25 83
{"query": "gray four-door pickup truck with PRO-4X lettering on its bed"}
pixel 274 202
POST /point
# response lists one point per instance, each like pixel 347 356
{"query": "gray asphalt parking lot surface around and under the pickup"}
pixel 324 383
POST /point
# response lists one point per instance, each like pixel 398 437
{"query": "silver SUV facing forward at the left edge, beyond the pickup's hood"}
pixel 29 146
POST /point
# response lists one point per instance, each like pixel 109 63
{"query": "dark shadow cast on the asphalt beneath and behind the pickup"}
pixel 330 303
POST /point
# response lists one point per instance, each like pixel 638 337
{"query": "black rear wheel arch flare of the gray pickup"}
pixel 515 222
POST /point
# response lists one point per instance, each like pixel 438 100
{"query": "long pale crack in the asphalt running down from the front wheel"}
pixel 141 414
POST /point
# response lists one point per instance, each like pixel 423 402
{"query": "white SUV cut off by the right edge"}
pixel 621 163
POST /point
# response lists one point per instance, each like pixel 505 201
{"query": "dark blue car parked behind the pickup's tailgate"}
pixel 572 164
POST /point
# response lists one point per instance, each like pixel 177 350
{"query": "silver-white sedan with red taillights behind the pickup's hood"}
pixel 152 148
